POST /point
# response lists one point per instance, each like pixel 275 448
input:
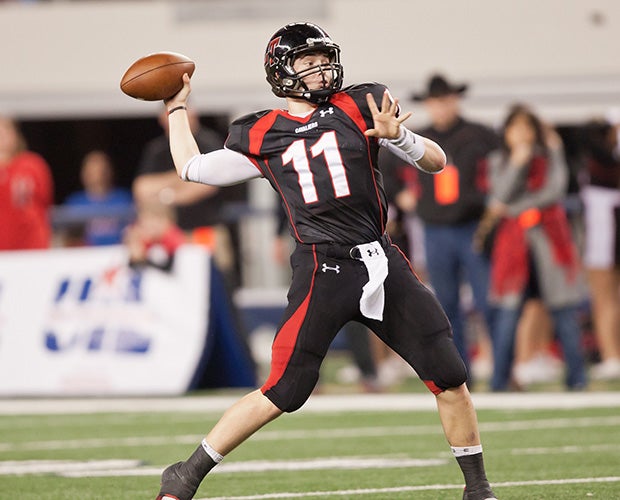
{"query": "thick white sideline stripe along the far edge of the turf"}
pixel 317 403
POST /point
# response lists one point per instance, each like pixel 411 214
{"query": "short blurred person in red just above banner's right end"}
pixel 154 237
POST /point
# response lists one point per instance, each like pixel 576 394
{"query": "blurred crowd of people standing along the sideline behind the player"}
pixel 519 236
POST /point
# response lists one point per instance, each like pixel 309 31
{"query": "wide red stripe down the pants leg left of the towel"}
pixel 284 343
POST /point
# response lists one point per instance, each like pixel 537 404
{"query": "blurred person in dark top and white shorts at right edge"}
pixel 601 198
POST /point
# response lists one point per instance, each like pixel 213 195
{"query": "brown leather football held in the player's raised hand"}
pixel 156 76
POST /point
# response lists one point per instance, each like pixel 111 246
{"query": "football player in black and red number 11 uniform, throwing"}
pixel 320 155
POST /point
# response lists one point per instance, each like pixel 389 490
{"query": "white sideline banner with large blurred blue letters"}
pixel 81 322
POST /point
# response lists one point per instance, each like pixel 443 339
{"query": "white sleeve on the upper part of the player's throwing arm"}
pixel 222 167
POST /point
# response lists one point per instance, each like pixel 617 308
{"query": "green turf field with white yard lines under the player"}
pixel 327 450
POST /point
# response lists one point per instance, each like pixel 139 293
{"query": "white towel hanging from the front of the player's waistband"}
pixel 373 295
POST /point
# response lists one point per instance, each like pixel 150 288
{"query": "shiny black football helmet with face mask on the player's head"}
pixel 287 44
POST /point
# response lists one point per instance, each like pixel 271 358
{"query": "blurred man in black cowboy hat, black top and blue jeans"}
pixel 451 203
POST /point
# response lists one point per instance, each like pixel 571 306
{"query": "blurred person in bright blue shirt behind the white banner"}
pixel 106 209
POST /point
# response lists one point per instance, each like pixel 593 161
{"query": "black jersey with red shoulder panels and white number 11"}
pixel 322 165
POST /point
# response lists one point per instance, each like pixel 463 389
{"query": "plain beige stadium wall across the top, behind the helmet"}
pixel 64 58
